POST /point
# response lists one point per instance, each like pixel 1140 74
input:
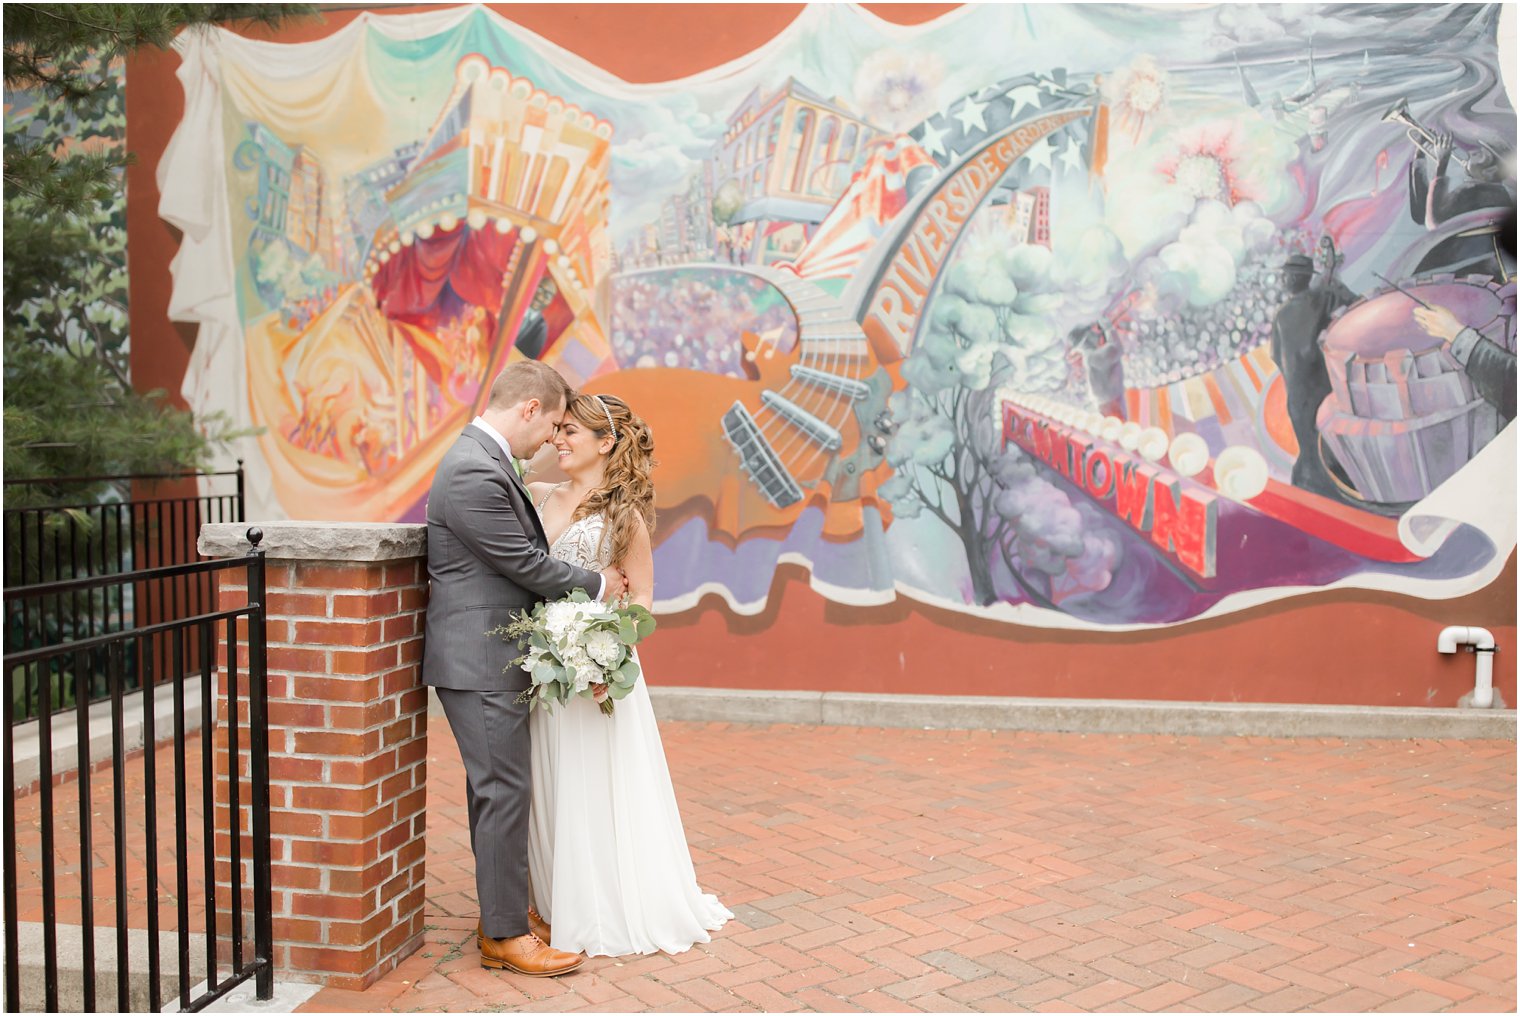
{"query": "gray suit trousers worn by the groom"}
pixel 493 741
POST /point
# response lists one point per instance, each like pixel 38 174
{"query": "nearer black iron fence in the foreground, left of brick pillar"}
pixel 34 863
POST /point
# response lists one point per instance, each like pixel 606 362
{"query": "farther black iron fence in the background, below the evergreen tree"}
pixel 122 529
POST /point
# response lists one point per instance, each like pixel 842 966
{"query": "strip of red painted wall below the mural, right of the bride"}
pixel 1331 649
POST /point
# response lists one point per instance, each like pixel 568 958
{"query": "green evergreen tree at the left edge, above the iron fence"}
pixel 69 402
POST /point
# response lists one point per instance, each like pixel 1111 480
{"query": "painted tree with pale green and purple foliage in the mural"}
pixel 992 325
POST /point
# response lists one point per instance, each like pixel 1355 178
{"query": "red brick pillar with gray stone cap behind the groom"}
pixel 347 743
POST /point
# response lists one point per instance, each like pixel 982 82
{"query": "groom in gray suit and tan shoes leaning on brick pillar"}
pixel 487 557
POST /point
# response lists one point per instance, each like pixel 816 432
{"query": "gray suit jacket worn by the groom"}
pixel 487 559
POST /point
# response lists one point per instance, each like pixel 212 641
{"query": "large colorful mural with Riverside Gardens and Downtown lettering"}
pixel 1068 316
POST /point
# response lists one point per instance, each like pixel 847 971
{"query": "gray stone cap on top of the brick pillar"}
pixel 317 541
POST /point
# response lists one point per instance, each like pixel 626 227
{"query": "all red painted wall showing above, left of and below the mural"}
pixel 1332 647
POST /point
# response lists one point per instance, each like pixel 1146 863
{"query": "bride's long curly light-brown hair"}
pixel 627 494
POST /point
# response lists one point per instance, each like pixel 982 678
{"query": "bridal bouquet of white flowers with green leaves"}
pixel 578 643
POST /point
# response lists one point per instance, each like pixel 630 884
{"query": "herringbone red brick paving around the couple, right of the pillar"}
pixel 1010 872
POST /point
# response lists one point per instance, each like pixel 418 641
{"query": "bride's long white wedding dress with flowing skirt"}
pixel 607 854
